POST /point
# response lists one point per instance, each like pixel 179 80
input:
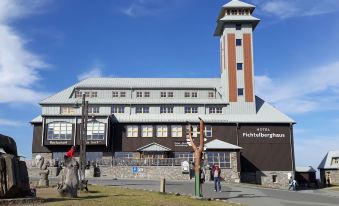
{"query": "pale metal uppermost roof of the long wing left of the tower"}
pixel 63 97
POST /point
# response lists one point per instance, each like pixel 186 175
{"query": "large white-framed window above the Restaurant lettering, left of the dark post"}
pixel 59 131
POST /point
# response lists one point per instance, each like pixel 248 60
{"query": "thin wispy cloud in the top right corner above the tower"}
pixel 292 8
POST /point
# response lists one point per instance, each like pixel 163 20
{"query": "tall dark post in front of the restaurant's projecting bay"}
pixel 83 137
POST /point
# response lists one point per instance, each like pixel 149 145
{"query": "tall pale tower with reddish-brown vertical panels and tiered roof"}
pixel 235 26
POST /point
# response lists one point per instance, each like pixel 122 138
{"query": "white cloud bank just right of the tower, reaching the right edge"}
pixel 303 91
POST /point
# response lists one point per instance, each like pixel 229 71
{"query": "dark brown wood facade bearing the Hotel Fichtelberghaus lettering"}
pixel 266 147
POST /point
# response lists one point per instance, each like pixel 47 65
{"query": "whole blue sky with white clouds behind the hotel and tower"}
pixel 46 46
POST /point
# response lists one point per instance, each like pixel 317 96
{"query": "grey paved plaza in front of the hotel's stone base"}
pixel 244 194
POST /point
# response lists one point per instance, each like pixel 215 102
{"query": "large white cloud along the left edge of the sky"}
pixel 19 67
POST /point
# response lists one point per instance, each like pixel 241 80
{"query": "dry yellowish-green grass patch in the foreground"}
pixel 105 195
